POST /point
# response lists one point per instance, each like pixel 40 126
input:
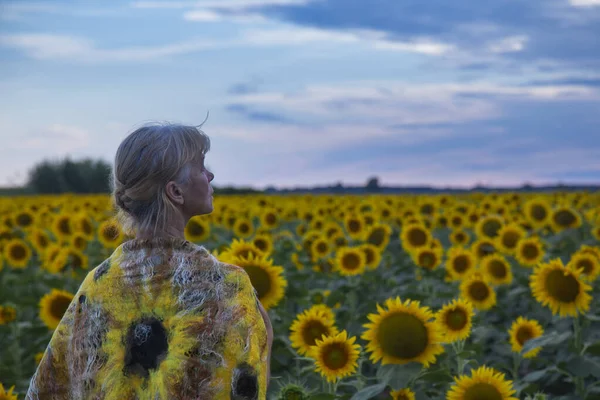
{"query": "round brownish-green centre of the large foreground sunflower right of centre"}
pixel 403 336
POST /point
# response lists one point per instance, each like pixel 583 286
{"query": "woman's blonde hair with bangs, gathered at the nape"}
pixel 146 160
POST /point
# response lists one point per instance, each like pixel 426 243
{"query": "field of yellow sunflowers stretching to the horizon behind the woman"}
pixel 469 296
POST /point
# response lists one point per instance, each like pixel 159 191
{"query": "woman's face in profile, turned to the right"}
pixel 198 199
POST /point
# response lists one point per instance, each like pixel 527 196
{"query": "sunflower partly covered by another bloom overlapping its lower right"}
pixel 309 326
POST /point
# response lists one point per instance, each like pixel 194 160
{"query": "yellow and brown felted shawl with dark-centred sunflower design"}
pixel 160 319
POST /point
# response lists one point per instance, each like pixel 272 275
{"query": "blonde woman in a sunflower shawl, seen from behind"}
pixel 161 318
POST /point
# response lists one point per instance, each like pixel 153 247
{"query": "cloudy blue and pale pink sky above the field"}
pixel 312 92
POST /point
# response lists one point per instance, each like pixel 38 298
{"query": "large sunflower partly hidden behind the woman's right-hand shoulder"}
pixel 267 279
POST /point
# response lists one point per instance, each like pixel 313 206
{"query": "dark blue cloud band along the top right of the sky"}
pixel 555 29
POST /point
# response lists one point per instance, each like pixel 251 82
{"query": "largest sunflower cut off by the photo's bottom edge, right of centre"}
pixel 485 383
